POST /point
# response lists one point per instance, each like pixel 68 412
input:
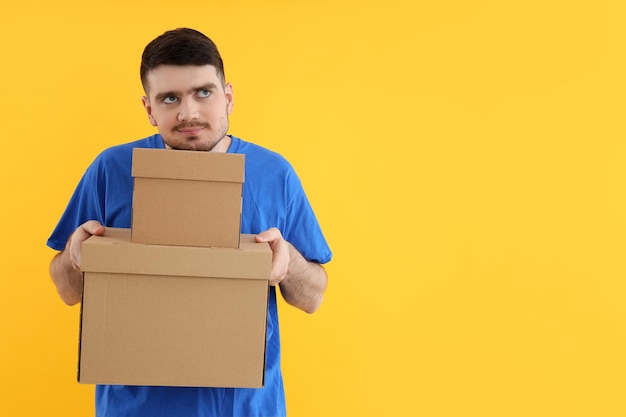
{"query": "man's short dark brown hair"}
pixel 182 46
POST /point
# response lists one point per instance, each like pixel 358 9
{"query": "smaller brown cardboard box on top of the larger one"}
pixel 187 198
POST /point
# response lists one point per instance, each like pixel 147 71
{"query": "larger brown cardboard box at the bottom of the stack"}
pixel 173 315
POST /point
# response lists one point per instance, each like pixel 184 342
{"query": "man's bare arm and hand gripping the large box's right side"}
pixel 302 283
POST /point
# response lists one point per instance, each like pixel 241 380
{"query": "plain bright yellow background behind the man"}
pixel 466 160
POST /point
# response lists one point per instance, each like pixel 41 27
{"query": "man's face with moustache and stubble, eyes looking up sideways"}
pixel 190 106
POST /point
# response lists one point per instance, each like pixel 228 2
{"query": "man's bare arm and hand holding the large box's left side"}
pixel 65 266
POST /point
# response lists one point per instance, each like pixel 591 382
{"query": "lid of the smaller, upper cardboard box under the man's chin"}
pixel 189 165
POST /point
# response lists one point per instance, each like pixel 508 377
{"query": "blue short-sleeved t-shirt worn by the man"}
pixel 272 197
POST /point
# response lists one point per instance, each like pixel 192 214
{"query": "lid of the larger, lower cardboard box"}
pixel 114 253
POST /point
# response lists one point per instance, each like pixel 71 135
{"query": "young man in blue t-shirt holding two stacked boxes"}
pixel 188 100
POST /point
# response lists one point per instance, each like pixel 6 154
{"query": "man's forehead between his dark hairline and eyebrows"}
pixel 170 78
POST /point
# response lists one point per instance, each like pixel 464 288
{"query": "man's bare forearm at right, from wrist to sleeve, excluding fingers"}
pixel 305 282
